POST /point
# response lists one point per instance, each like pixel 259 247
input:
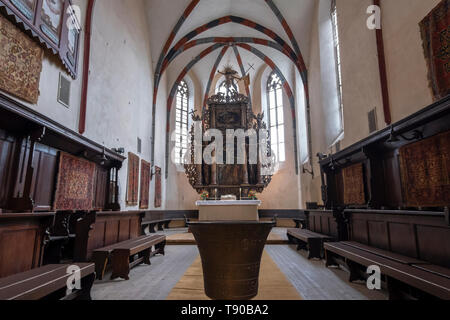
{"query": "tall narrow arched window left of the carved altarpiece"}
pixel 181 122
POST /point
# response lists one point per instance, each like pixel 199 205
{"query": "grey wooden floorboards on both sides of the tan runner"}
pixel 311 279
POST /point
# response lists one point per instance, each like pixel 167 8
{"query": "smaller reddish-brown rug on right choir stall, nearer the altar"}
pixel 353 180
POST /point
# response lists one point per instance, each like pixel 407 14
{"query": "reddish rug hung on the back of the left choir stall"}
pixel 75 184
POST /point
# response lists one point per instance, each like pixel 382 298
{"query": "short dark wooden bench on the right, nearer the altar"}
pixel 306 239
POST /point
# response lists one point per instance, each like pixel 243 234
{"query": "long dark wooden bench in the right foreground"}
pixel 398 269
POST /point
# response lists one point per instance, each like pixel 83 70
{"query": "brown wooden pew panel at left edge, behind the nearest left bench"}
pixel 22 238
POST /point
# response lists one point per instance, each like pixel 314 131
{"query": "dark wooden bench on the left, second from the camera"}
pixel 123 253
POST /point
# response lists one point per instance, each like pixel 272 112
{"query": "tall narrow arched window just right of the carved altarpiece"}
pixel 276 116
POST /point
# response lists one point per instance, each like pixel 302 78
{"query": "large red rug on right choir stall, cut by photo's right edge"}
pixel 425 172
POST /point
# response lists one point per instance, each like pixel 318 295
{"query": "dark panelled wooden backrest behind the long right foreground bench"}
pixel 422 235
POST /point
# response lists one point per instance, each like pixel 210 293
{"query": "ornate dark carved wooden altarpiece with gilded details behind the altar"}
pixel 224 112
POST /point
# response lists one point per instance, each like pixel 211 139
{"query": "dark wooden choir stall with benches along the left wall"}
pixel 59 205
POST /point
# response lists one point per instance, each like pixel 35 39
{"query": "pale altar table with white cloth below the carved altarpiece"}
pixel 229 210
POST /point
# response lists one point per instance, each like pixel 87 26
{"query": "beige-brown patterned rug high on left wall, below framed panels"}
pixel 20 62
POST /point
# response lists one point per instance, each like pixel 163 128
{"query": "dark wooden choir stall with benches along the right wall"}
pixel 387 202
